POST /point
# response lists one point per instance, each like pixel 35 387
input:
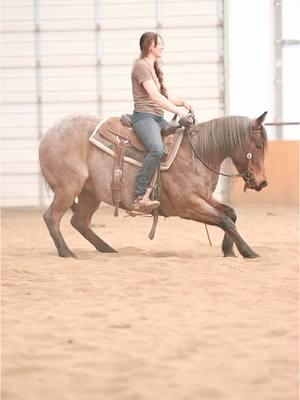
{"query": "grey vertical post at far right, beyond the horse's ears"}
pixel 278 66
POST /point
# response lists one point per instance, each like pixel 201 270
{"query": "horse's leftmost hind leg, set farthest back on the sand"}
pixel 52 217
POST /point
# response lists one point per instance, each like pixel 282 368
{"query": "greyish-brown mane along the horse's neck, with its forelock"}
pixel 218 137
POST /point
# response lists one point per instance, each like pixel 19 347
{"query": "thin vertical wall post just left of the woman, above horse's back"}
pixel 98 58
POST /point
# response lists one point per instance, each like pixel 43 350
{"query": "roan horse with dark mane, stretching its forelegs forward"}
pixel 74 168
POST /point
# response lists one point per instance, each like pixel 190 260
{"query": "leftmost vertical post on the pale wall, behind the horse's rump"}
pixel 38 82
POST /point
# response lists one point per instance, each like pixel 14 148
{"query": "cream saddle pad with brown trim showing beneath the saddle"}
pixel 172 142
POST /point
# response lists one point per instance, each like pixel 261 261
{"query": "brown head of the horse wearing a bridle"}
pixel 250 161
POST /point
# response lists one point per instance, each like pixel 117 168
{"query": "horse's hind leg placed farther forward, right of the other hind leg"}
pixel 83 212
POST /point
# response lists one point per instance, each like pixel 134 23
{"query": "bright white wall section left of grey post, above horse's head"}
pixel 250 32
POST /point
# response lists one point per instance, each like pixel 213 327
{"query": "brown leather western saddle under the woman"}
pixel 120 133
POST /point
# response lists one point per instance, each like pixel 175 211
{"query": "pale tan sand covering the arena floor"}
pixel 169 319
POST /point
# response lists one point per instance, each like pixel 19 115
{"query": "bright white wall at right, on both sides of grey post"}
pixel 251 61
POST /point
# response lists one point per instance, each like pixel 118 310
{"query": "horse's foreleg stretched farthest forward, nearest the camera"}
pixel 205 213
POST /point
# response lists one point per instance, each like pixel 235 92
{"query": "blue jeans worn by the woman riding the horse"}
pixel 147 127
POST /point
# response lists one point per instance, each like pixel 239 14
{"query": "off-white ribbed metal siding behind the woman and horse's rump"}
pixel 76 56
